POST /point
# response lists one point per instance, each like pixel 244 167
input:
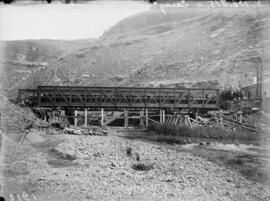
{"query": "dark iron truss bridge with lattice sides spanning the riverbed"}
pixel 120 97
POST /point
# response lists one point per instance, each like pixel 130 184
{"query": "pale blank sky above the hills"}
pixel 64 21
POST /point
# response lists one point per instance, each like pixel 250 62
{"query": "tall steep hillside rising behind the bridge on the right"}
pixel 218 48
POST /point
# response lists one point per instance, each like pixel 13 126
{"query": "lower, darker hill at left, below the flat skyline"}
pixel 22 60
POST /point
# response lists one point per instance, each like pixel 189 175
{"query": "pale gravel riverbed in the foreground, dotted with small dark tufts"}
pixel 100 169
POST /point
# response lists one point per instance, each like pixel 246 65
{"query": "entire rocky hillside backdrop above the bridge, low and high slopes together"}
pixel 203 48
